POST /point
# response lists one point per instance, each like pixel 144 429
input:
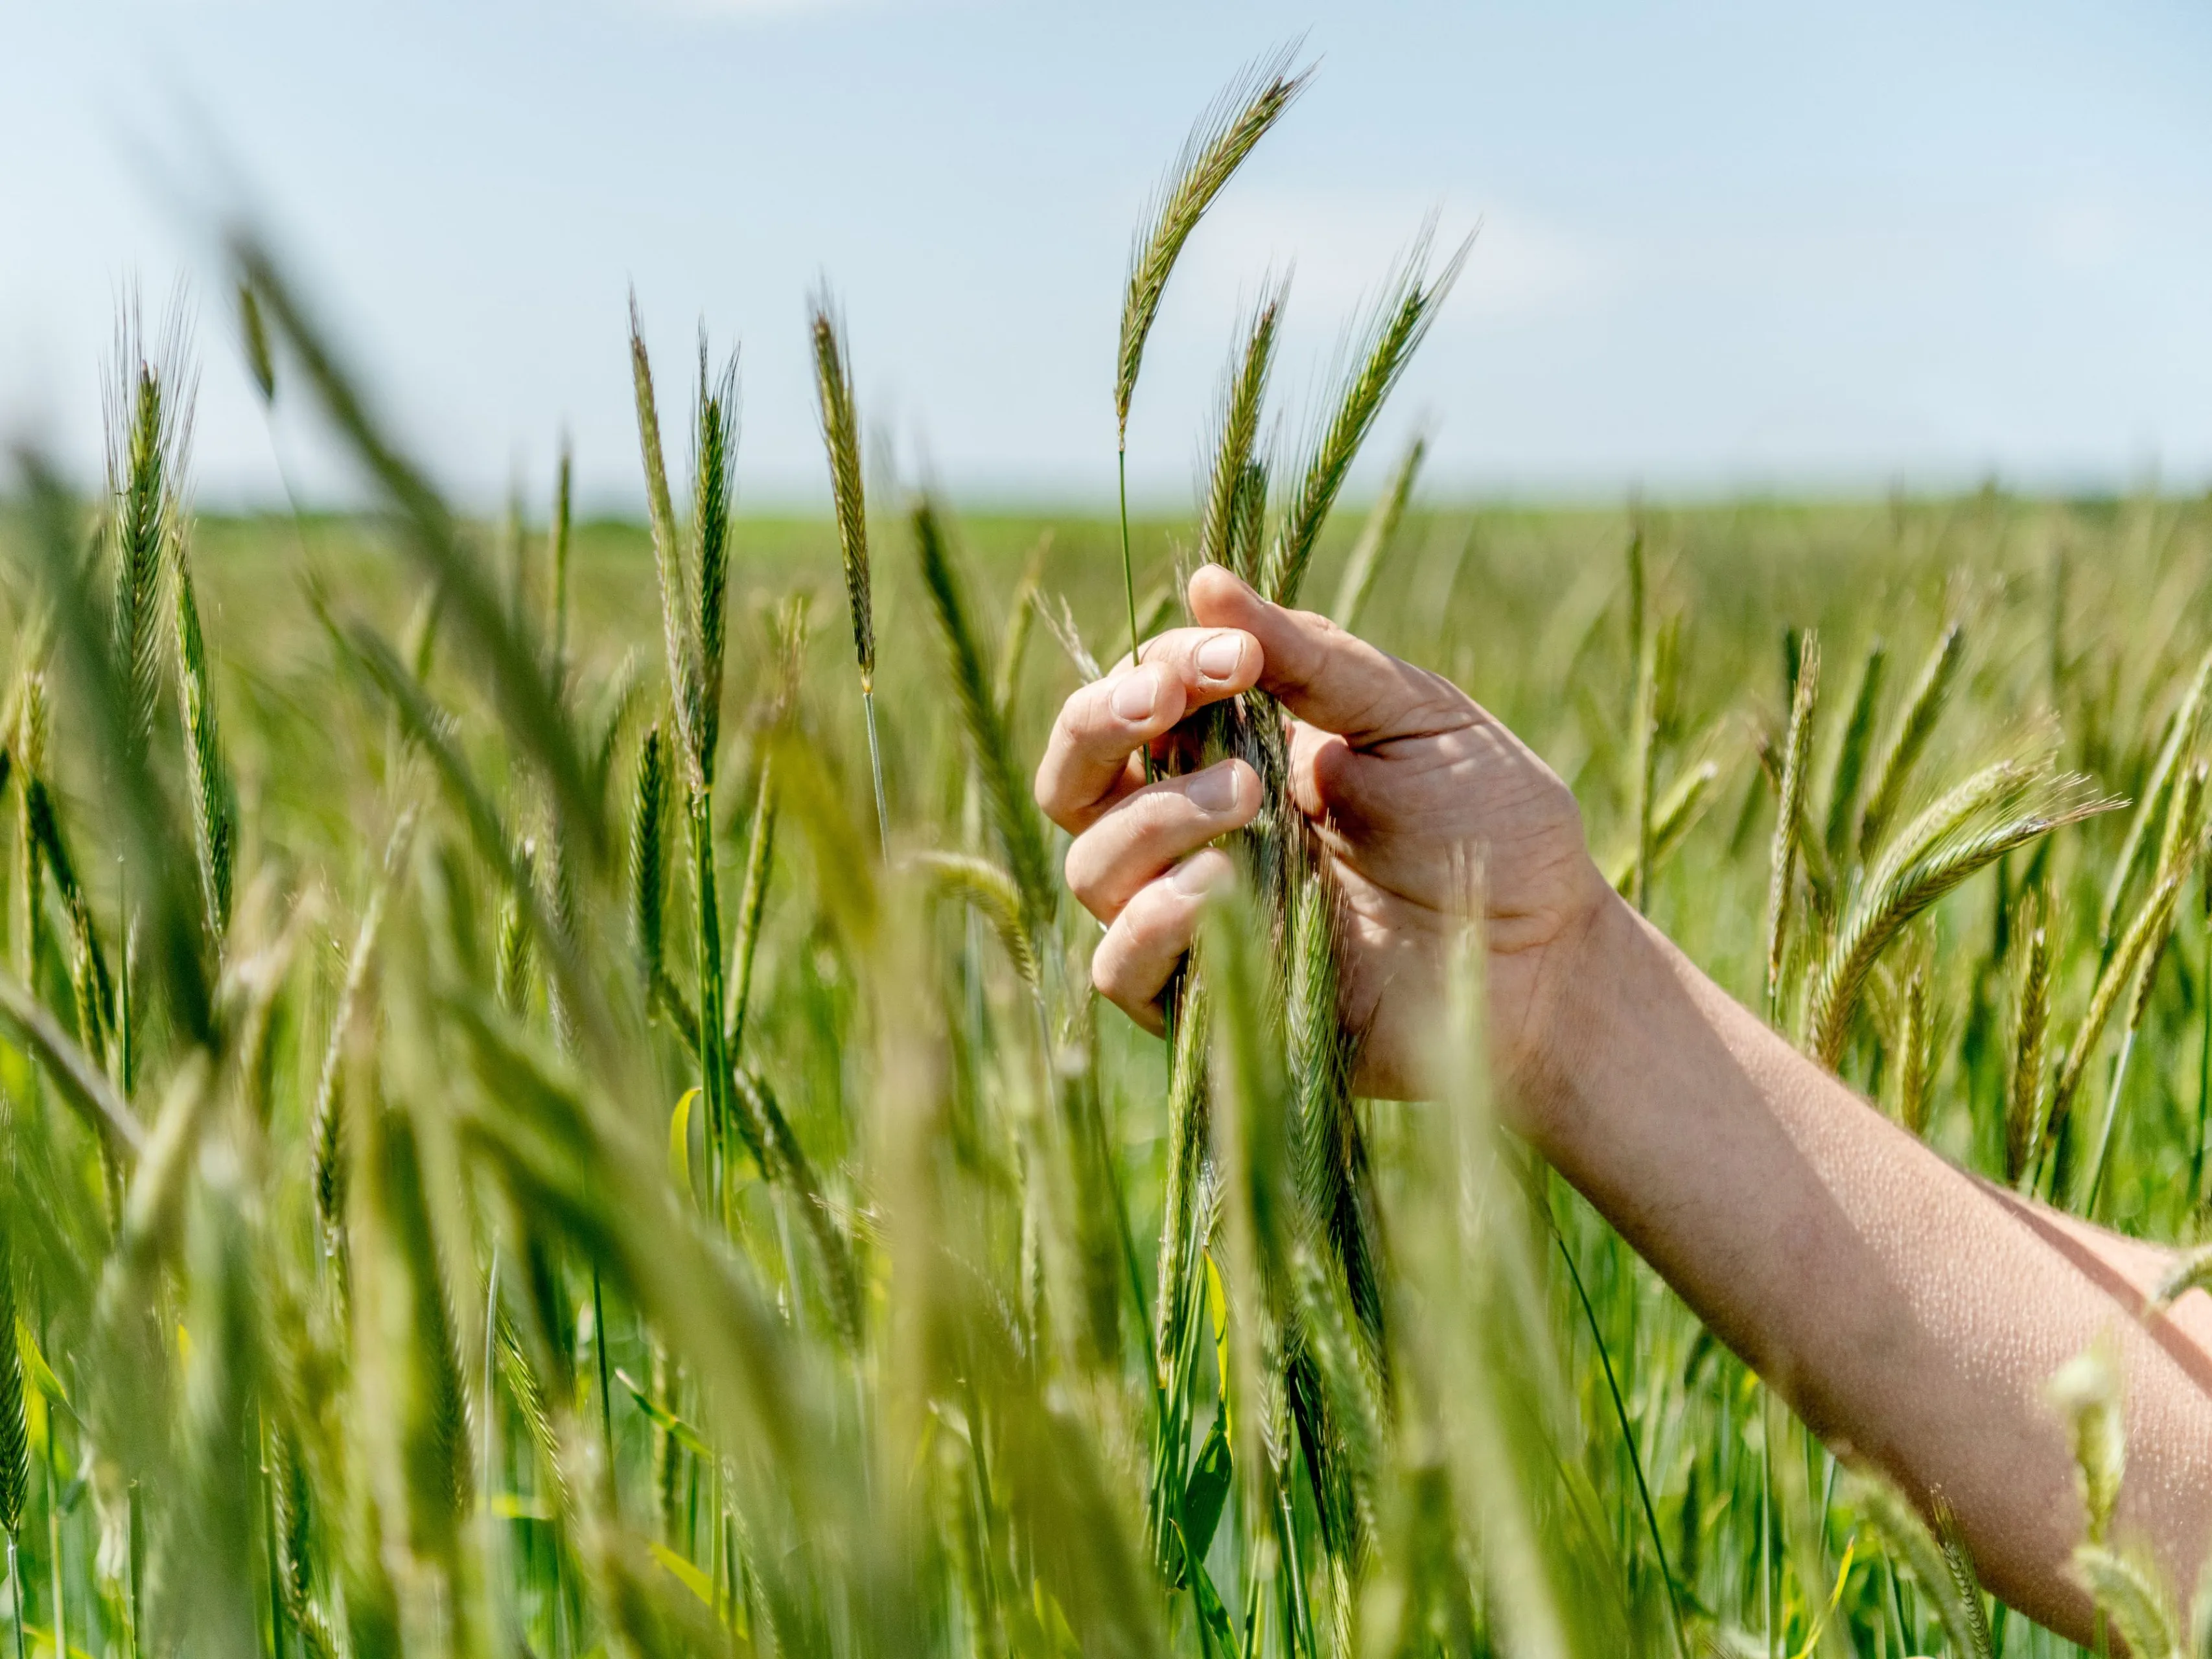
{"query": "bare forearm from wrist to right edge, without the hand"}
pixel 1906 1308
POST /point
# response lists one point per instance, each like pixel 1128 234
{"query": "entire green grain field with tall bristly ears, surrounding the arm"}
pixel 508 1154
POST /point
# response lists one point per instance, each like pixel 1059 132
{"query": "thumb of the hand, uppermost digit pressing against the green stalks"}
pixel 1328 678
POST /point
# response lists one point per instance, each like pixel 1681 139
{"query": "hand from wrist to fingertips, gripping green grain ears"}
pixel 1404 778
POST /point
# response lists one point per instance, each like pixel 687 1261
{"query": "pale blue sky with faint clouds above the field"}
pixel 1724 247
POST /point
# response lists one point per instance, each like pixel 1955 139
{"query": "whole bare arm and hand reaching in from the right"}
pixel 1908 1311
